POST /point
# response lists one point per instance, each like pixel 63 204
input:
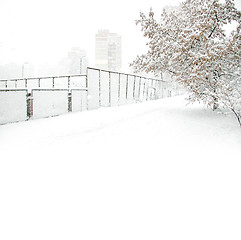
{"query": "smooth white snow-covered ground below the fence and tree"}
pixel 156 170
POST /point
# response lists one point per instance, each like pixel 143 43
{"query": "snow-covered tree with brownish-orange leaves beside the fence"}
pixel 191 43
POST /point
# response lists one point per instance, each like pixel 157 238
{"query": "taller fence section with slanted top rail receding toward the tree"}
pixel 106 88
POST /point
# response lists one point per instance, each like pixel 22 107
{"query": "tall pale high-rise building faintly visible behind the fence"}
pixel 108 50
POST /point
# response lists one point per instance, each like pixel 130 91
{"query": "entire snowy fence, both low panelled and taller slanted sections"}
pixel 51 96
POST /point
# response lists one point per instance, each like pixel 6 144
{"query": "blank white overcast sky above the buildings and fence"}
pixel 45 30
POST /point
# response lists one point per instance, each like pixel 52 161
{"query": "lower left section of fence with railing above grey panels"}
pixel 42 97
